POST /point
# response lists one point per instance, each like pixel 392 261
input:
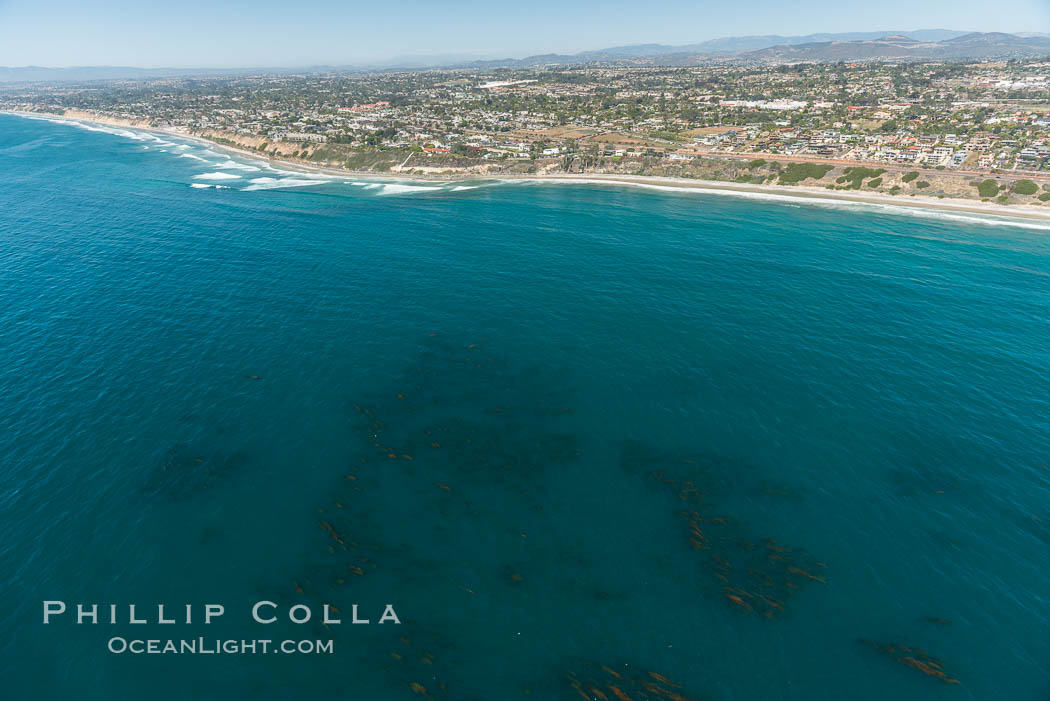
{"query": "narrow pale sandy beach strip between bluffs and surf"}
pixel 800 194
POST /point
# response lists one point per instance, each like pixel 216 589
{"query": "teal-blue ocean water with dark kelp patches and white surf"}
pixel 575 435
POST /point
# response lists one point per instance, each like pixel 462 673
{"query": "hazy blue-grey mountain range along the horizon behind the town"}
pixel 916 46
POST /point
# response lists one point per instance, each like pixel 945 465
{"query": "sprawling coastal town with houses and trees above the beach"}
pixel 977 131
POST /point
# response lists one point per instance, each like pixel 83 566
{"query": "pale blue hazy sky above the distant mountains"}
pixel 266 33
